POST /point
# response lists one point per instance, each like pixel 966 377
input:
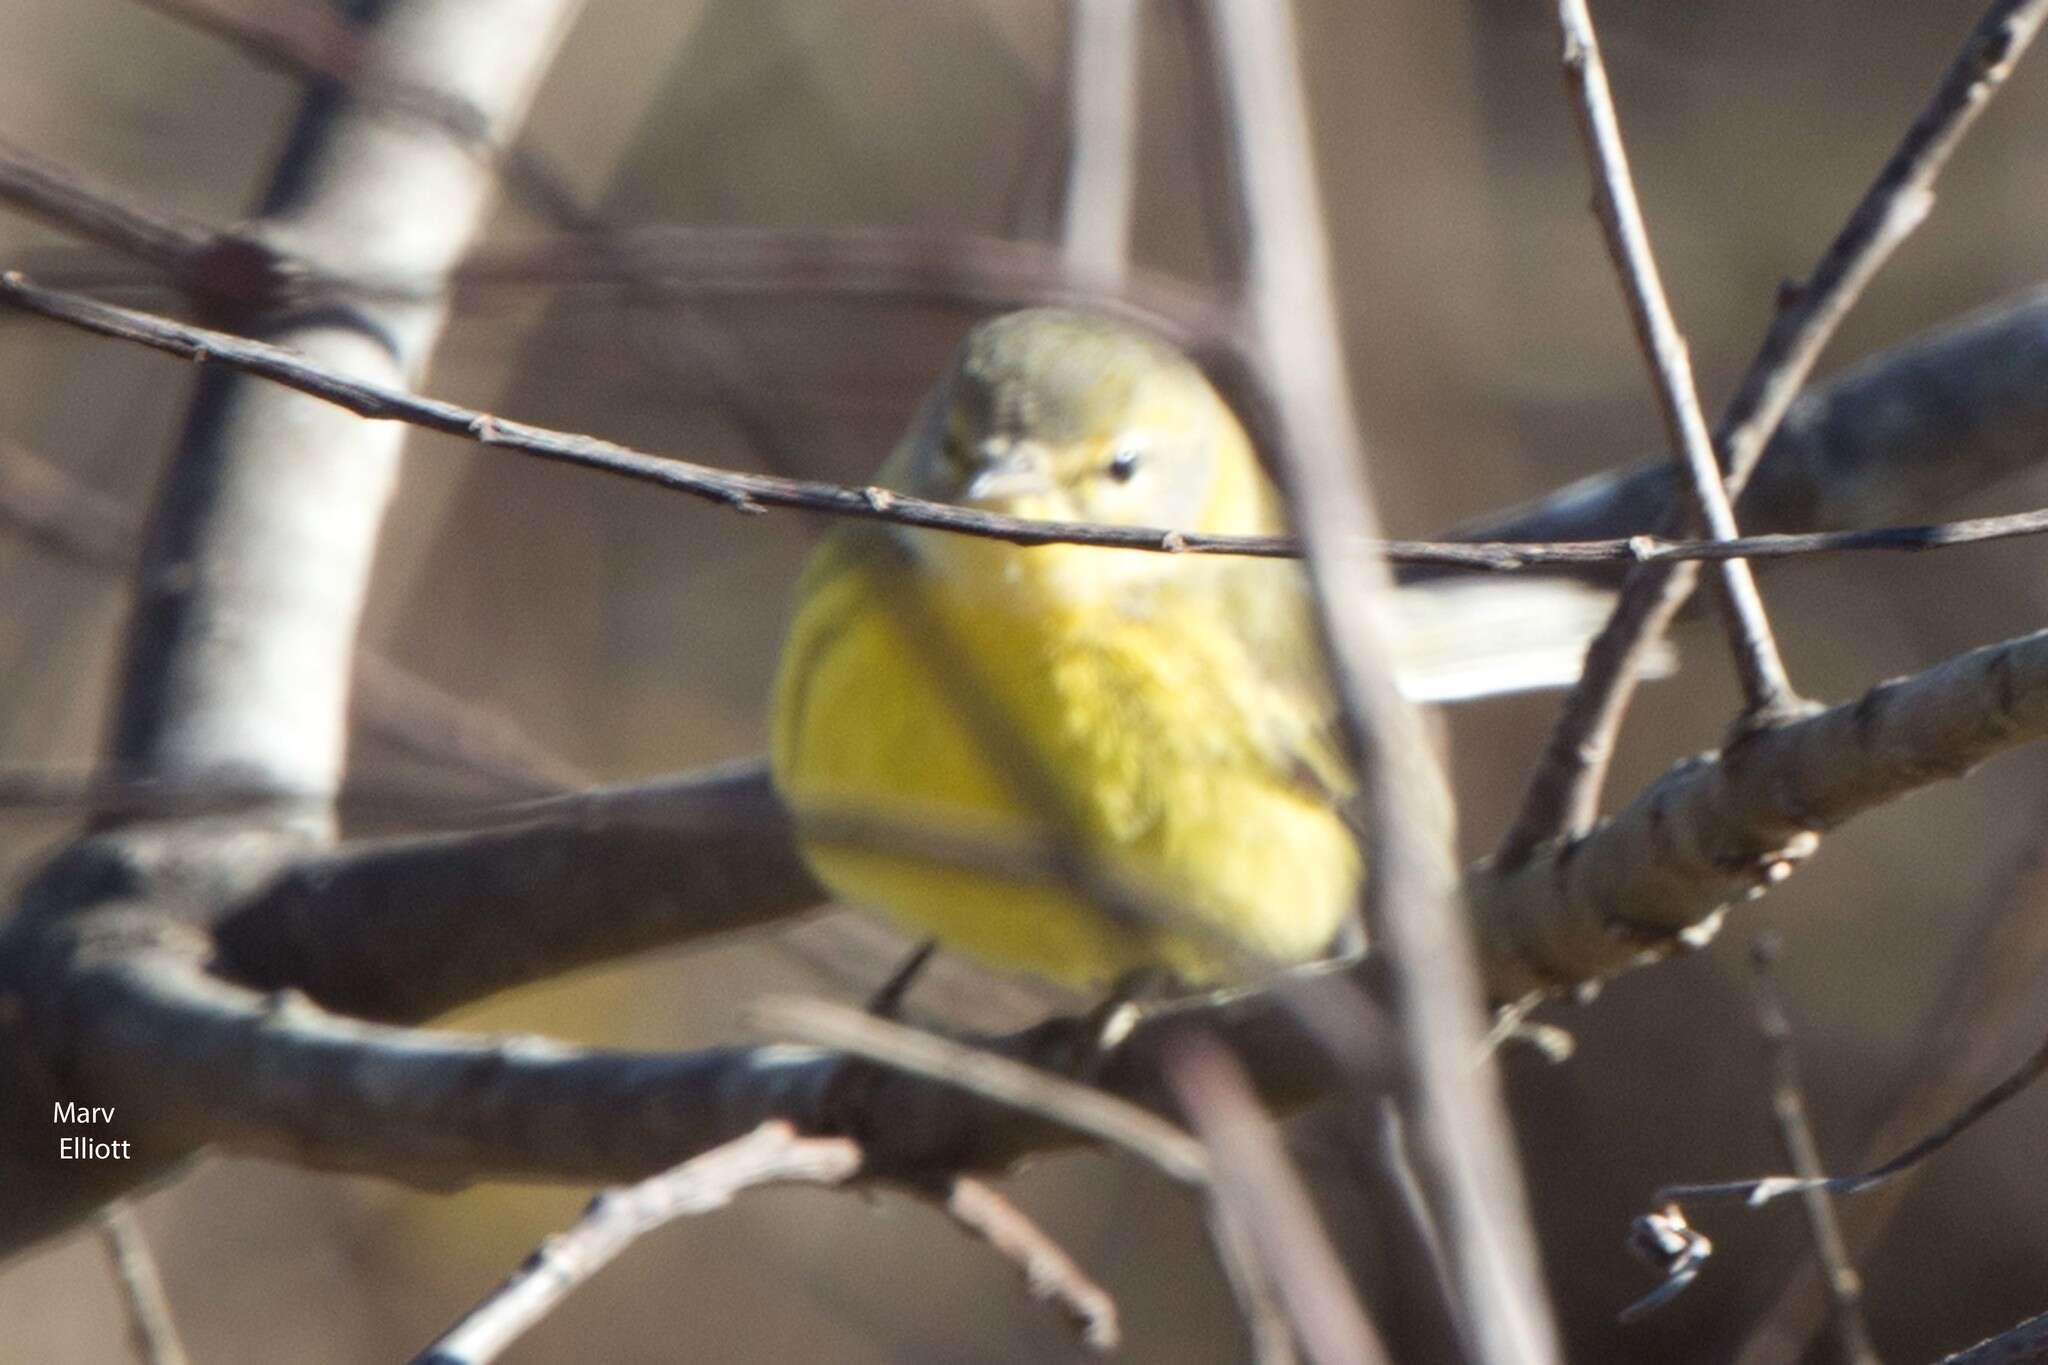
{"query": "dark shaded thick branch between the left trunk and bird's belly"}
pixel 409 928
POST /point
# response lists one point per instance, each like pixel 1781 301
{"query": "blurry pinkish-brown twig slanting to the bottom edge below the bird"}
pixel 1256 1182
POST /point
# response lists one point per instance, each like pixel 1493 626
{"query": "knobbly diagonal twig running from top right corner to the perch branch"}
pixel 1564 795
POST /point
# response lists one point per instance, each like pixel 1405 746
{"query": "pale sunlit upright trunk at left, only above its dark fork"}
pixel 245 629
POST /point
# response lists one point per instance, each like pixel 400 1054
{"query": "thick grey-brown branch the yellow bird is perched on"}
pixel 196 1059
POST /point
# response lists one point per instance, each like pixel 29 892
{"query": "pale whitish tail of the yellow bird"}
pixel 1463 640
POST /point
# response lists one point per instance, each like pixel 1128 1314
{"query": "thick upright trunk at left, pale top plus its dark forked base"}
pixel 251 588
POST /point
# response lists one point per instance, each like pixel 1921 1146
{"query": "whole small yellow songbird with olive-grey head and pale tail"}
pixel 1162 713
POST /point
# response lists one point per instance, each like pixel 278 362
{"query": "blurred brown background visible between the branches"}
pixel 634 633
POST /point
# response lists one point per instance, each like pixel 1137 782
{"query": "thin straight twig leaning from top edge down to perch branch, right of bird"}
pixel 1766 689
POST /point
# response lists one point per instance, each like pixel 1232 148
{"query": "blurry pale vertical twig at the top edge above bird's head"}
pixel 1103 69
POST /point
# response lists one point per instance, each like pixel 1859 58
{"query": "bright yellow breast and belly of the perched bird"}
pixel 1156 768
